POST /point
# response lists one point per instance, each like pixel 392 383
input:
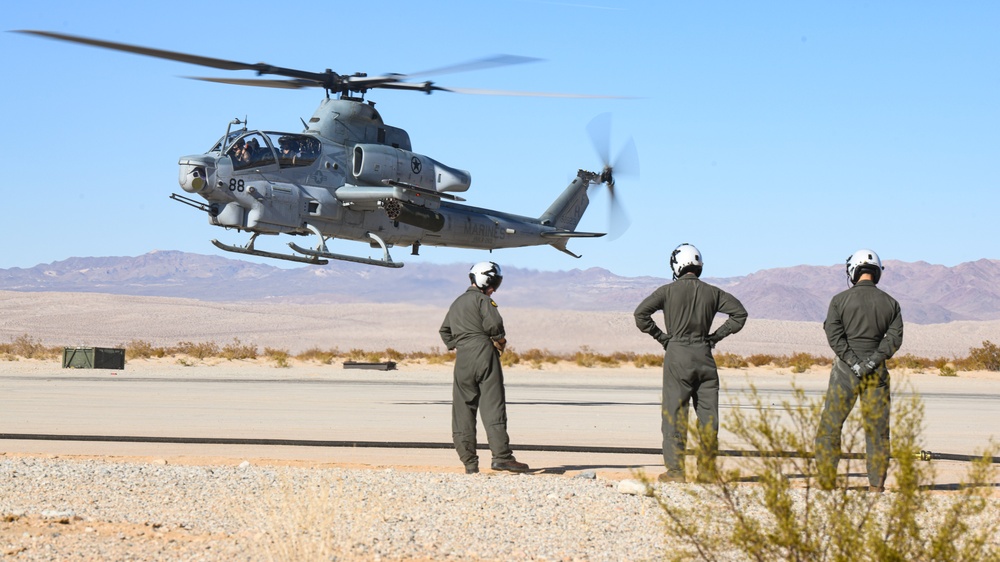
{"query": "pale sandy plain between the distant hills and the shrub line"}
pixel 101 320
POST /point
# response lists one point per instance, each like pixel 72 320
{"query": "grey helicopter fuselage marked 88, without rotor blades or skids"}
pixel 351 176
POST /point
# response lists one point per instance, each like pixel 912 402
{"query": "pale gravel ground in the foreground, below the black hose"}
pixel 98 509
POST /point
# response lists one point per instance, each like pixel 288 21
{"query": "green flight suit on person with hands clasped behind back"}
pixel 863 323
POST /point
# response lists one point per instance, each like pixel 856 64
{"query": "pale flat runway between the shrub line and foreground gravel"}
pixel 583 408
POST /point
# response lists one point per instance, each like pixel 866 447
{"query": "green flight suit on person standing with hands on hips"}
pixel 689 372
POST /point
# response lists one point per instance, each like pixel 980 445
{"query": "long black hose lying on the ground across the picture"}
pixel 923 455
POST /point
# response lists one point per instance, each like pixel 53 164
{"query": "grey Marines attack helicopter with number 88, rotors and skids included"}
pixel 351 176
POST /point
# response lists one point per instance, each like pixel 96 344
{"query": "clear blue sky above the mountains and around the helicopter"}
pixel 770 134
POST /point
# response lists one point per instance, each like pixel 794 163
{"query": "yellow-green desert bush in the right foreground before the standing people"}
pixel 771 506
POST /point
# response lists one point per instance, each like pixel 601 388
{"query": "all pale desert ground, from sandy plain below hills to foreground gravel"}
pixel 141 501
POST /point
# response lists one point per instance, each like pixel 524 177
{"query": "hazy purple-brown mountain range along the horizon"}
pixel 929 294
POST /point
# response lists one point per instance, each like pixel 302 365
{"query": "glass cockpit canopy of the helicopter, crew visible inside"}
pixel 253 149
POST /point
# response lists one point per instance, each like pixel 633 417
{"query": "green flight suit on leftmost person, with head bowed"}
pixel 471 325
